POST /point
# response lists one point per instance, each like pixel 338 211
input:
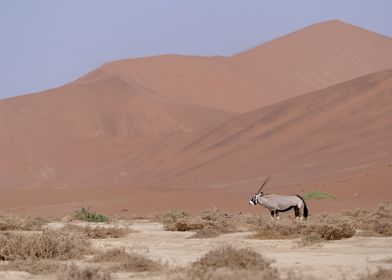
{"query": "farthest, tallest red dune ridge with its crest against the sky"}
pixel 315 57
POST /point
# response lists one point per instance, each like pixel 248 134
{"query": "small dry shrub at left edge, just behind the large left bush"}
pixel 27 223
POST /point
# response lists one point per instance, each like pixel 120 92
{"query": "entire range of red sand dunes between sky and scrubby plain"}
pixel 143 134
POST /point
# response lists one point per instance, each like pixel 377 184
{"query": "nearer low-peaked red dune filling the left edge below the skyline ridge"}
pixel 62 137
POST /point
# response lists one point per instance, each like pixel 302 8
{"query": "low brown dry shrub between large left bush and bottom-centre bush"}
pixel 122 261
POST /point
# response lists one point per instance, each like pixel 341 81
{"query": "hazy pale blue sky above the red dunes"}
pixel 45 44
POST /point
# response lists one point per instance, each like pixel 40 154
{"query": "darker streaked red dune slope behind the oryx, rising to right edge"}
pixel 342 129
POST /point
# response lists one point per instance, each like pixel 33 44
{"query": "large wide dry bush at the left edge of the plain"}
pixel 49 244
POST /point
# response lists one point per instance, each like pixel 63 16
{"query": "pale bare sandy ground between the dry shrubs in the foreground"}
pixel 344 259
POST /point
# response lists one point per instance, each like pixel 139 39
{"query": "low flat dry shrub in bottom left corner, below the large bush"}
pixel 33 267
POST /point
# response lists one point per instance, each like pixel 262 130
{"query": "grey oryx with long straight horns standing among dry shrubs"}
pixel 280 203
